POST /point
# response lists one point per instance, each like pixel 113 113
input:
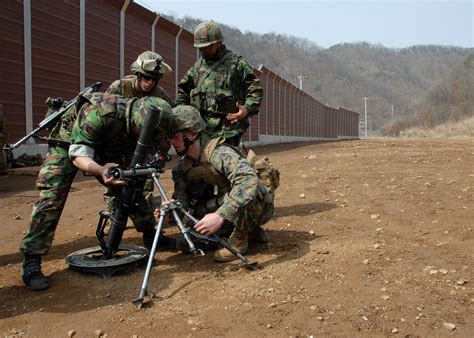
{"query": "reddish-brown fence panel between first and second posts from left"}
pixel 55 52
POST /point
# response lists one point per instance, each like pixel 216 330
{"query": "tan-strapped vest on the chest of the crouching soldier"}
pixel 204 180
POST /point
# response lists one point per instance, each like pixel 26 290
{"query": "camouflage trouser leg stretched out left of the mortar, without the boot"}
pixel 53 183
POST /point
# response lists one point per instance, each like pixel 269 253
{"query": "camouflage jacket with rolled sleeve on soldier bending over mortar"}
pixel 101 131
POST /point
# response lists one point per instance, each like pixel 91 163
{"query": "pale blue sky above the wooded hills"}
pixel 394 24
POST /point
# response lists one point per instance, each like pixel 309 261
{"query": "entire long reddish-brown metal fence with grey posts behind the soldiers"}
pixel 55 48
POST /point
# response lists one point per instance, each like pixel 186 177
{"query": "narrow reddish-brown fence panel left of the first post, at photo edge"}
pixel 12 69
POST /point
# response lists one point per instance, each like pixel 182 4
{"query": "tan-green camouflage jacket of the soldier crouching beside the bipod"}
pixel 240 182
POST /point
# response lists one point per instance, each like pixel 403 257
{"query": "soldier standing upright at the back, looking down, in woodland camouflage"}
pixel 221 85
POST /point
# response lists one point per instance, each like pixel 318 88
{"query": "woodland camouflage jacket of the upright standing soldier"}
pixel 232 80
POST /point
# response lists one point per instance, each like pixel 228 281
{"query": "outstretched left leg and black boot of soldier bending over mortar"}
pixel 53 183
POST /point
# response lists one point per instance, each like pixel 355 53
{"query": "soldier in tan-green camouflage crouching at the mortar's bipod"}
pixel 218 185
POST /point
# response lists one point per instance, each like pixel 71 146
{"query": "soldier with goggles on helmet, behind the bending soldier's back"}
pixel 147 69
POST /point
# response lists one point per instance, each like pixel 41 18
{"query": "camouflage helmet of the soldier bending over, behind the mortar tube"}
pixel 138 109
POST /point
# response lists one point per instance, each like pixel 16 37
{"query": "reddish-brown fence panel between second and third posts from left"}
pixel 102 45
